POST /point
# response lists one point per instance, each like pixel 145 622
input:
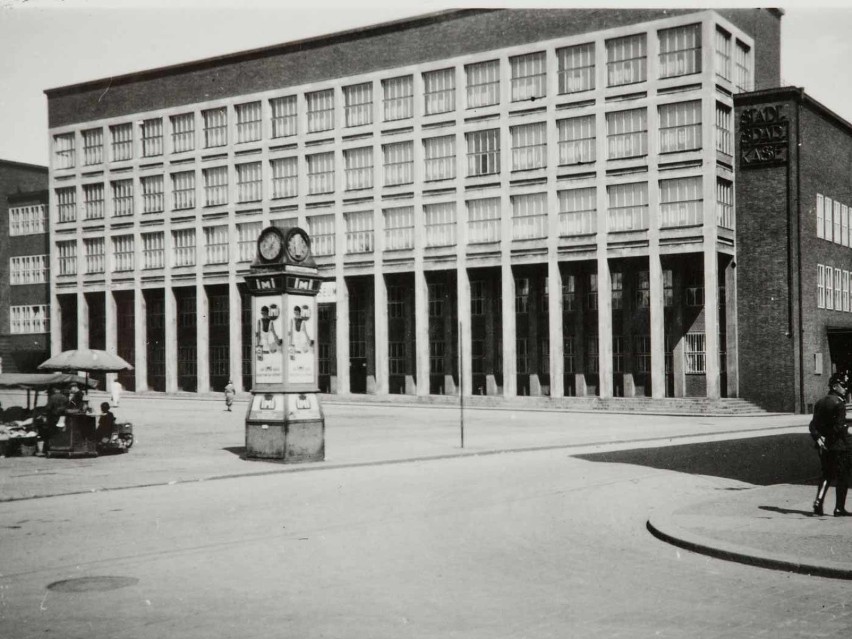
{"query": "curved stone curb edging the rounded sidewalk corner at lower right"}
pixel 662 527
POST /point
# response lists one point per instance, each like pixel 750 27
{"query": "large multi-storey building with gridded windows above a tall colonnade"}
pixel 514 201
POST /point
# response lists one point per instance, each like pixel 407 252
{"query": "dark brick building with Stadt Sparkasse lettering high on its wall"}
pixel 794 238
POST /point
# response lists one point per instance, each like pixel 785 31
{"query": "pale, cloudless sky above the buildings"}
pixel 46 44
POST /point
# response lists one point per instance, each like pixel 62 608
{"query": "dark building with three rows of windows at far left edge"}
pixel 24 267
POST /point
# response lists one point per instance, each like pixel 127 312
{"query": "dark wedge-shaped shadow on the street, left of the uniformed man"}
pixel 763 461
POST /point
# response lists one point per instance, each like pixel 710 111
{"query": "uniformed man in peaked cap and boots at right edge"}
pixel 831 435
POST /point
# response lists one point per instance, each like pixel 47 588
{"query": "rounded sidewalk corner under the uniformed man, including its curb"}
pixel 772 527
